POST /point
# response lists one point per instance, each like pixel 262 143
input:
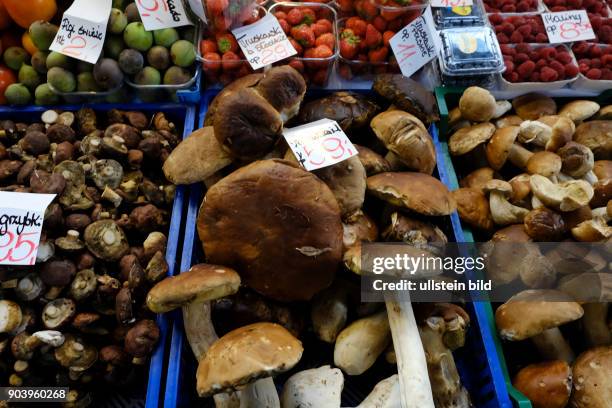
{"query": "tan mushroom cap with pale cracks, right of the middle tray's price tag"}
pixel 406 136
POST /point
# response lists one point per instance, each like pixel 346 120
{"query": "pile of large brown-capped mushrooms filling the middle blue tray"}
pixel 282 250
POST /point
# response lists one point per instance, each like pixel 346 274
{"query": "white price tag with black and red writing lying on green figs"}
pixel 82 30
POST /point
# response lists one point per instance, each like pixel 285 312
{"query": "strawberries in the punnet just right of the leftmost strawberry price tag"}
pixel 311 32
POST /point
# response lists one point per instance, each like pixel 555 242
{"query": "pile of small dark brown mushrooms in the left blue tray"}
pixel 77 318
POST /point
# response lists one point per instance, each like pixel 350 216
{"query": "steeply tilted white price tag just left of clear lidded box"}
pixel 415 45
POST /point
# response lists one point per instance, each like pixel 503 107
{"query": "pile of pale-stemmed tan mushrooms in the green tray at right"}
pixel 535 171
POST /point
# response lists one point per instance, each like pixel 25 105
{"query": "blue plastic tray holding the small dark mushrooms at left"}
pixel 183 117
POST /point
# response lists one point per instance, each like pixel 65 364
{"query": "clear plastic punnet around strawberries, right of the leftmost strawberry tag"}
pixel 316 71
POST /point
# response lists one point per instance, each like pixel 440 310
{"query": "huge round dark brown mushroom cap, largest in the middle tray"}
pixel 277 225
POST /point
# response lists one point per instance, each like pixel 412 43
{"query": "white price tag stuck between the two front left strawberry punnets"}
pixel 264 42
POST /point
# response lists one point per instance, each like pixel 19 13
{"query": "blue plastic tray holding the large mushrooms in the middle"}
pixel 477 362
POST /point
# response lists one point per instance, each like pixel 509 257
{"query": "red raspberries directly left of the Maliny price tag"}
pixel 518 29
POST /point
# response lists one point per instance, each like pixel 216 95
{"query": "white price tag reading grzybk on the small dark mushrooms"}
pixel 21 220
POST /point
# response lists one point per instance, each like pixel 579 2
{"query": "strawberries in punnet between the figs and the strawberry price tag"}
pixel 223 59
